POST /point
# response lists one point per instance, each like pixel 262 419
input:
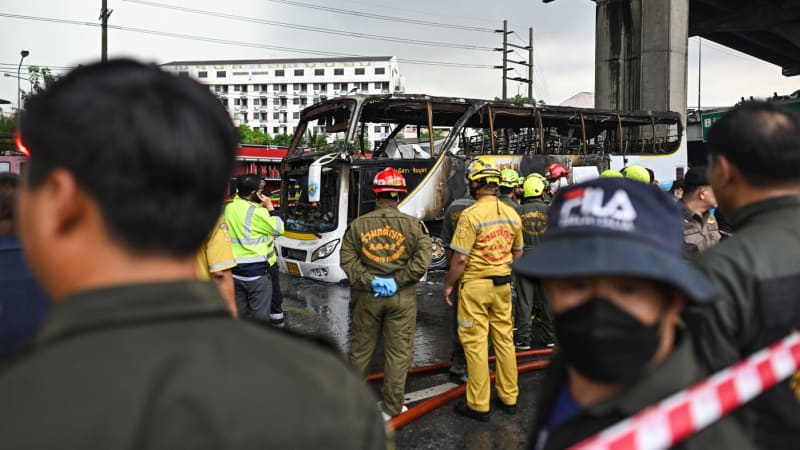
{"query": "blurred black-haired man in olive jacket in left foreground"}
pixel 136 353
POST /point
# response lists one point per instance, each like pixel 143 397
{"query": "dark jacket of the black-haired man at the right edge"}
pixel 758 272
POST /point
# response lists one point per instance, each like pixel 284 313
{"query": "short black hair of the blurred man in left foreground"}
pixel 152 149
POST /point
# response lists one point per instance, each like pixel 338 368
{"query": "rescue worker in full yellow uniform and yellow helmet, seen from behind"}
pixel 488 237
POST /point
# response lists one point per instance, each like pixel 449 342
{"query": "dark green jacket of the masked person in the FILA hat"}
pixel 677 372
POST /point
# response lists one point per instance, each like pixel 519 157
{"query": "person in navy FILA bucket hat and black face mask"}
pixel 611 266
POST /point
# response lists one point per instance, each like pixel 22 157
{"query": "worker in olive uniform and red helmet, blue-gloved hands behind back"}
pixel 384 254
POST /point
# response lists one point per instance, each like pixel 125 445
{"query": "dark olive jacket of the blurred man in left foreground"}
pixel 164 366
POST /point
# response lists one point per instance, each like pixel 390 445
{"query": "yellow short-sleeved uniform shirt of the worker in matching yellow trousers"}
pixel 487 232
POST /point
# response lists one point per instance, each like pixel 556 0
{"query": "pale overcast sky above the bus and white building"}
pixel 563 35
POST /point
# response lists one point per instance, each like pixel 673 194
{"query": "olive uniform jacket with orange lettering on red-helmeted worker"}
pixel 385 243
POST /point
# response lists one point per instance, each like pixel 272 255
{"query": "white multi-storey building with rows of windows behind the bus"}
pixel 268 94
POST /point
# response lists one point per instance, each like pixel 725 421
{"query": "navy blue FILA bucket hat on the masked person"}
pixel 615 226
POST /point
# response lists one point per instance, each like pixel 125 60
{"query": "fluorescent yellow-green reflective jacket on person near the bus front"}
pixel 252 230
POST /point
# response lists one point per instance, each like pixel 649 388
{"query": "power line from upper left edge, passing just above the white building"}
pixel 237 43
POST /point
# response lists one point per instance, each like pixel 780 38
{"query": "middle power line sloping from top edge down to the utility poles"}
pixel 311 28
